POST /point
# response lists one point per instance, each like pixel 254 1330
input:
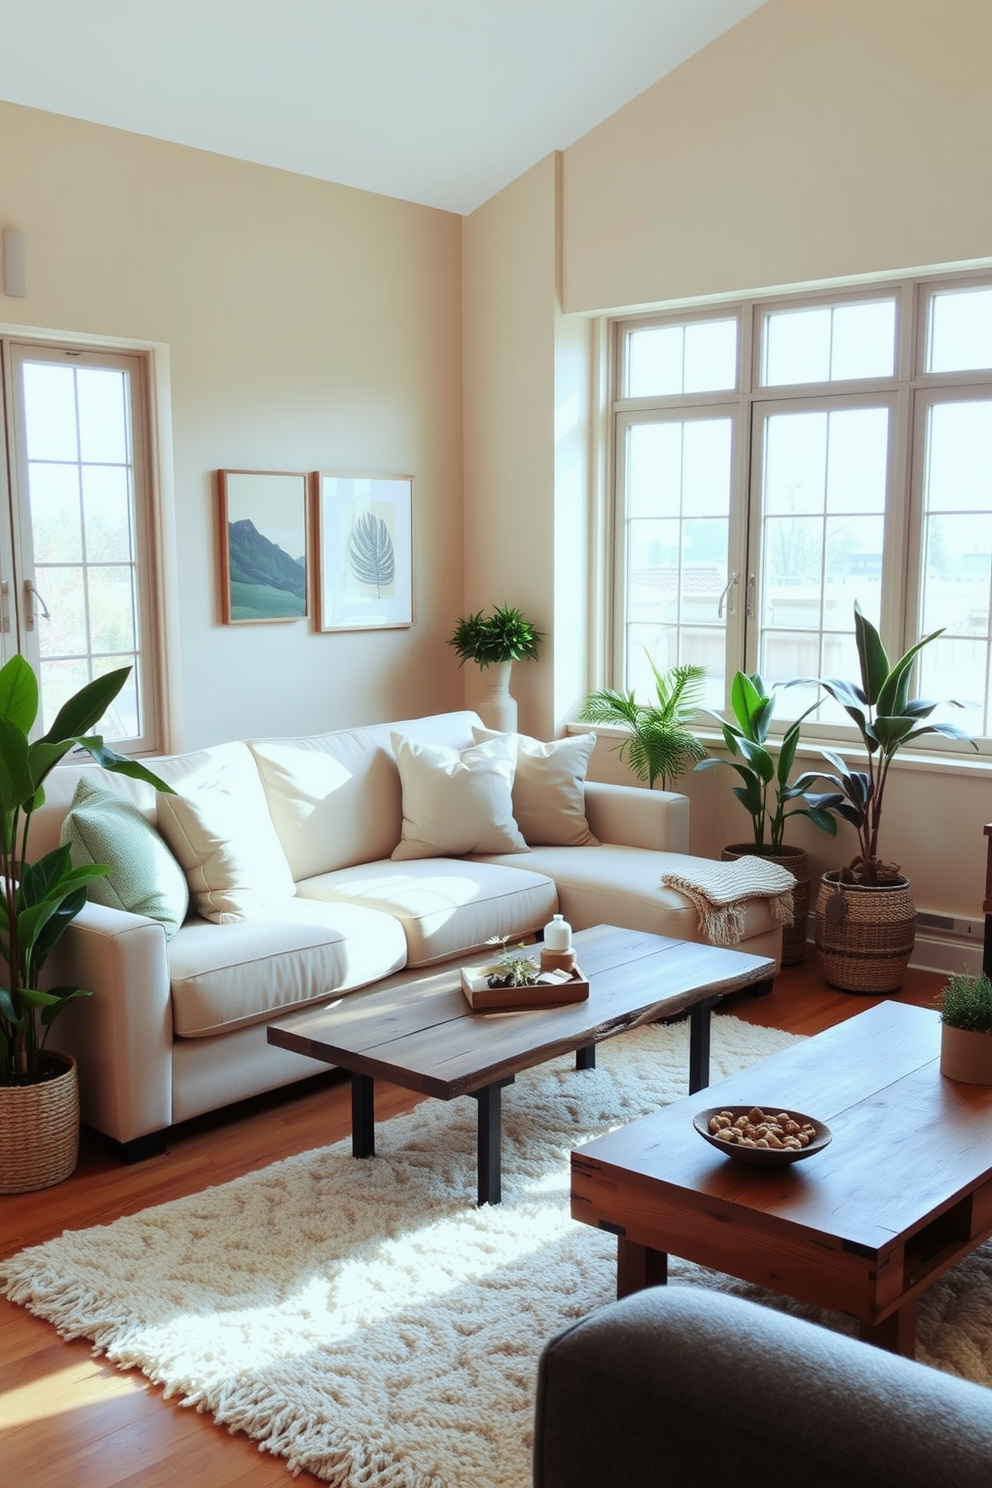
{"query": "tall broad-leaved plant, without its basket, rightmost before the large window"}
pixel 887 718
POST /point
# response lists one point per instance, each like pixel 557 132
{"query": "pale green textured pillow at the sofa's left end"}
pixel 103 827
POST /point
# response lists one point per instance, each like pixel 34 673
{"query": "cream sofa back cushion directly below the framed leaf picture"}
pixel 335 798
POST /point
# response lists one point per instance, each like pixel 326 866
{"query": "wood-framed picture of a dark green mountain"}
pixel 264 547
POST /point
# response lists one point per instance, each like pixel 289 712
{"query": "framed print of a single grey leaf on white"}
pixel 365 551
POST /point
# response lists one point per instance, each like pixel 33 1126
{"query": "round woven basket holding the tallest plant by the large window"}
pixel 868 949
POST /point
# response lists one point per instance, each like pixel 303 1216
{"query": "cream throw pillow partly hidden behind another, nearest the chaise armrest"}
pixel 550 798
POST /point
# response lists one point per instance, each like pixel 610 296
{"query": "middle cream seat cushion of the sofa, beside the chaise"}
pixel 445 907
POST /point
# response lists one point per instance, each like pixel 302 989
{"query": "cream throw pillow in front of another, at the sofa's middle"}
pixel 457 801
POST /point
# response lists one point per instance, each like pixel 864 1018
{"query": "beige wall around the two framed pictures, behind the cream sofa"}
pixel 310 327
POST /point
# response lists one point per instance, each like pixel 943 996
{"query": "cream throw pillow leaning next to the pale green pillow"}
pixel 221 831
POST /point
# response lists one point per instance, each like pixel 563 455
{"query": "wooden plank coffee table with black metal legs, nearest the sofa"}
pixel 423 1035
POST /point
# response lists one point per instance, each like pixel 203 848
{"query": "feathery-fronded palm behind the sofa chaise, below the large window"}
pixel 660 745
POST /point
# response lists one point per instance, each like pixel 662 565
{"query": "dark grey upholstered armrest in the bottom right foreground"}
pixel 686 1386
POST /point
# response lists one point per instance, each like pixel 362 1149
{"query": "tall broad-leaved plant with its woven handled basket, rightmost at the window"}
pixel 866 919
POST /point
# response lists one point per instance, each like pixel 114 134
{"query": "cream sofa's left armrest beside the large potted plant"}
pixel 121 1036
